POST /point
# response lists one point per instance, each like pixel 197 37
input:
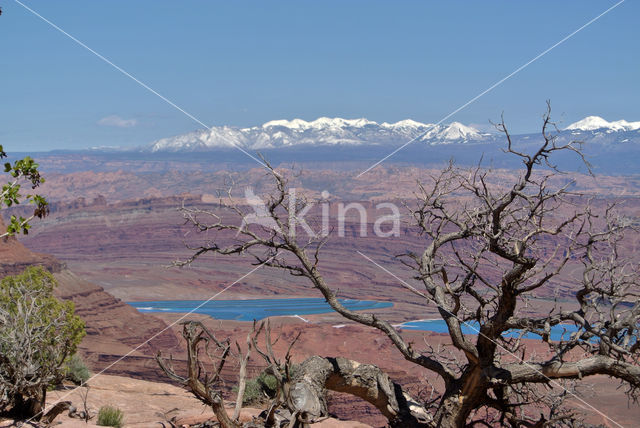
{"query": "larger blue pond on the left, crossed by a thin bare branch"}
pixel 248 310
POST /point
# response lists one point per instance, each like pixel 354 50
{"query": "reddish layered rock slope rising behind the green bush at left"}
pixel 114 329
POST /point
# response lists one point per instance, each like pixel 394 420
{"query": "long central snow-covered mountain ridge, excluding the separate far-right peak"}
pixel 322 131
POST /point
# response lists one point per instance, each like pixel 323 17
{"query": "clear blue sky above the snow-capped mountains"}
pixel 244 63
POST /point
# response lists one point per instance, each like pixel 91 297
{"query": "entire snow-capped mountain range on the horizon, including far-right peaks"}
pixel 358 132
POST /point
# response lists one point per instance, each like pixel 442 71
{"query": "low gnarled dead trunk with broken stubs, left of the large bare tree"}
pixel 299 400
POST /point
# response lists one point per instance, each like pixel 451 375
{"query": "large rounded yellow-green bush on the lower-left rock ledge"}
pixel 38 334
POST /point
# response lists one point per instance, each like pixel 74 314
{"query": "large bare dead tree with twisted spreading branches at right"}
pixel 488 248
